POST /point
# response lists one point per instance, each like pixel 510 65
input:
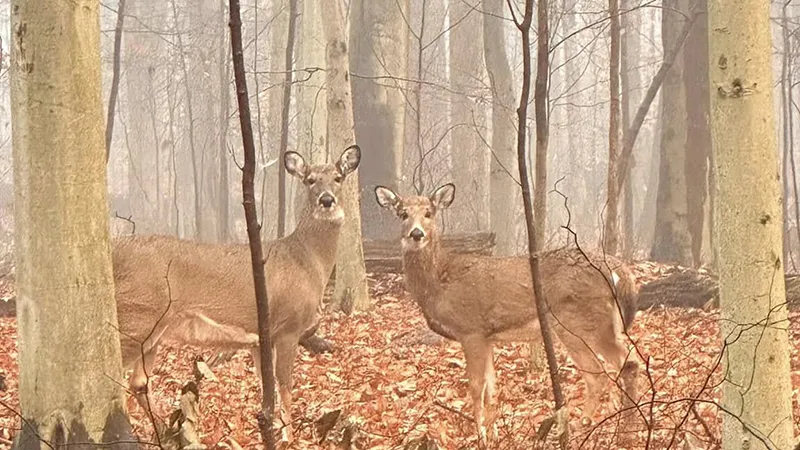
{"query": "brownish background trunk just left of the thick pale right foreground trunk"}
pixel 698 135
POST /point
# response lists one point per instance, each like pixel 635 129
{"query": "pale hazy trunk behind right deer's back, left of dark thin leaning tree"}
pixel 504 192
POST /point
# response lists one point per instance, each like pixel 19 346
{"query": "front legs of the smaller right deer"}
pixel 476 352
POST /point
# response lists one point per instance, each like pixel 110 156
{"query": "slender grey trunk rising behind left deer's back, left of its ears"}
pixel 285 109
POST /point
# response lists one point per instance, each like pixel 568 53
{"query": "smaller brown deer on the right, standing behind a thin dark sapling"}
pixel 482 300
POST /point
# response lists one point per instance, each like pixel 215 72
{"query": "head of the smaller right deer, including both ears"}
pixel 417 213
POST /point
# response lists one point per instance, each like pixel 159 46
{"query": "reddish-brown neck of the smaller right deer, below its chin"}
pixel 422 268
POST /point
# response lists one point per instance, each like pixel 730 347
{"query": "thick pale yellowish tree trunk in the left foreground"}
pixel 69 353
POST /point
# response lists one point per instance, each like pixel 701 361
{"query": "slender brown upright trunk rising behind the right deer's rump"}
pixel 611 229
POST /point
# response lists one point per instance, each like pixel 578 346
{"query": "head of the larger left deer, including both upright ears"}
pixel 323 182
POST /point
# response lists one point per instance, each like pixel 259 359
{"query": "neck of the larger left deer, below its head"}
pixel 319 237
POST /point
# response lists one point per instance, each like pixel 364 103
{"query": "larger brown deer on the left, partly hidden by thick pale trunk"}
pixel 185 292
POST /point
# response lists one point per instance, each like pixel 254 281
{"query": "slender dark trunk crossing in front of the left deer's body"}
pixel 253 229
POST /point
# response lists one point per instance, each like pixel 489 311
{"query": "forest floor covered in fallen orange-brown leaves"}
pixel 398 389
